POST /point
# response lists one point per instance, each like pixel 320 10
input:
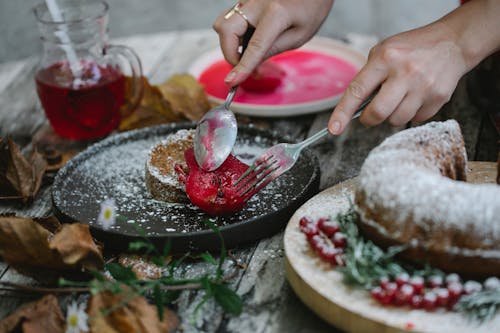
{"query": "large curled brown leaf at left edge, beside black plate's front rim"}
pixel 30 247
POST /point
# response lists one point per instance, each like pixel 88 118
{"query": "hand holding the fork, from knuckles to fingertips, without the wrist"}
pixel 417 72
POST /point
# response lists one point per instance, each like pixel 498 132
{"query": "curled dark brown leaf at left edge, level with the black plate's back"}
pixel 20 177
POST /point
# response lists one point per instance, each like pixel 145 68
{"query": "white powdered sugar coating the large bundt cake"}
pixel 402 178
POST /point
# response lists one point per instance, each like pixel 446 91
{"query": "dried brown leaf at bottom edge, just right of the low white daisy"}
pixel 131 313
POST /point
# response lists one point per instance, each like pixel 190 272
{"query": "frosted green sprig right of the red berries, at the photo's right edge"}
pixel 480 306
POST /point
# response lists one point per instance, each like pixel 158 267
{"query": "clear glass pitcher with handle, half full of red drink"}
pixel 81 80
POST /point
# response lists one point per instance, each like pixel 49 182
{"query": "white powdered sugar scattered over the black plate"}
pixel 115 168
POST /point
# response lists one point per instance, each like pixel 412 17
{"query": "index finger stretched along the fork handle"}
pixel 360 88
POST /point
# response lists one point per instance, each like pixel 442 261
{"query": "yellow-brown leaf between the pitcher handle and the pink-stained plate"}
pixel 186 96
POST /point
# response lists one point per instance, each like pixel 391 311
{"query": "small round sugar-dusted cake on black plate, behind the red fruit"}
pixel 161 178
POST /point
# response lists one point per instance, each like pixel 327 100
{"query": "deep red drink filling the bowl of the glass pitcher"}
pixel 83 108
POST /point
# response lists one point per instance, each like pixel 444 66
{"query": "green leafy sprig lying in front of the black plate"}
pixel 166 289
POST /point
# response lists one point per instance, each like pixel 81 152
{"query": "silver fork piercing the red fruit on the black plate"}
pixel 279 159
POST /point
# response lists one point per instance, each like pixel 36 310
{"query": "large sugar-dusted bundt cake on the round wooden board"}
pixel 412 192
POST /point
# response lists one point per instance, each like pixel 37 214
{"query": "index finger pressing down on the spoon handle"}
pixel 266 32
